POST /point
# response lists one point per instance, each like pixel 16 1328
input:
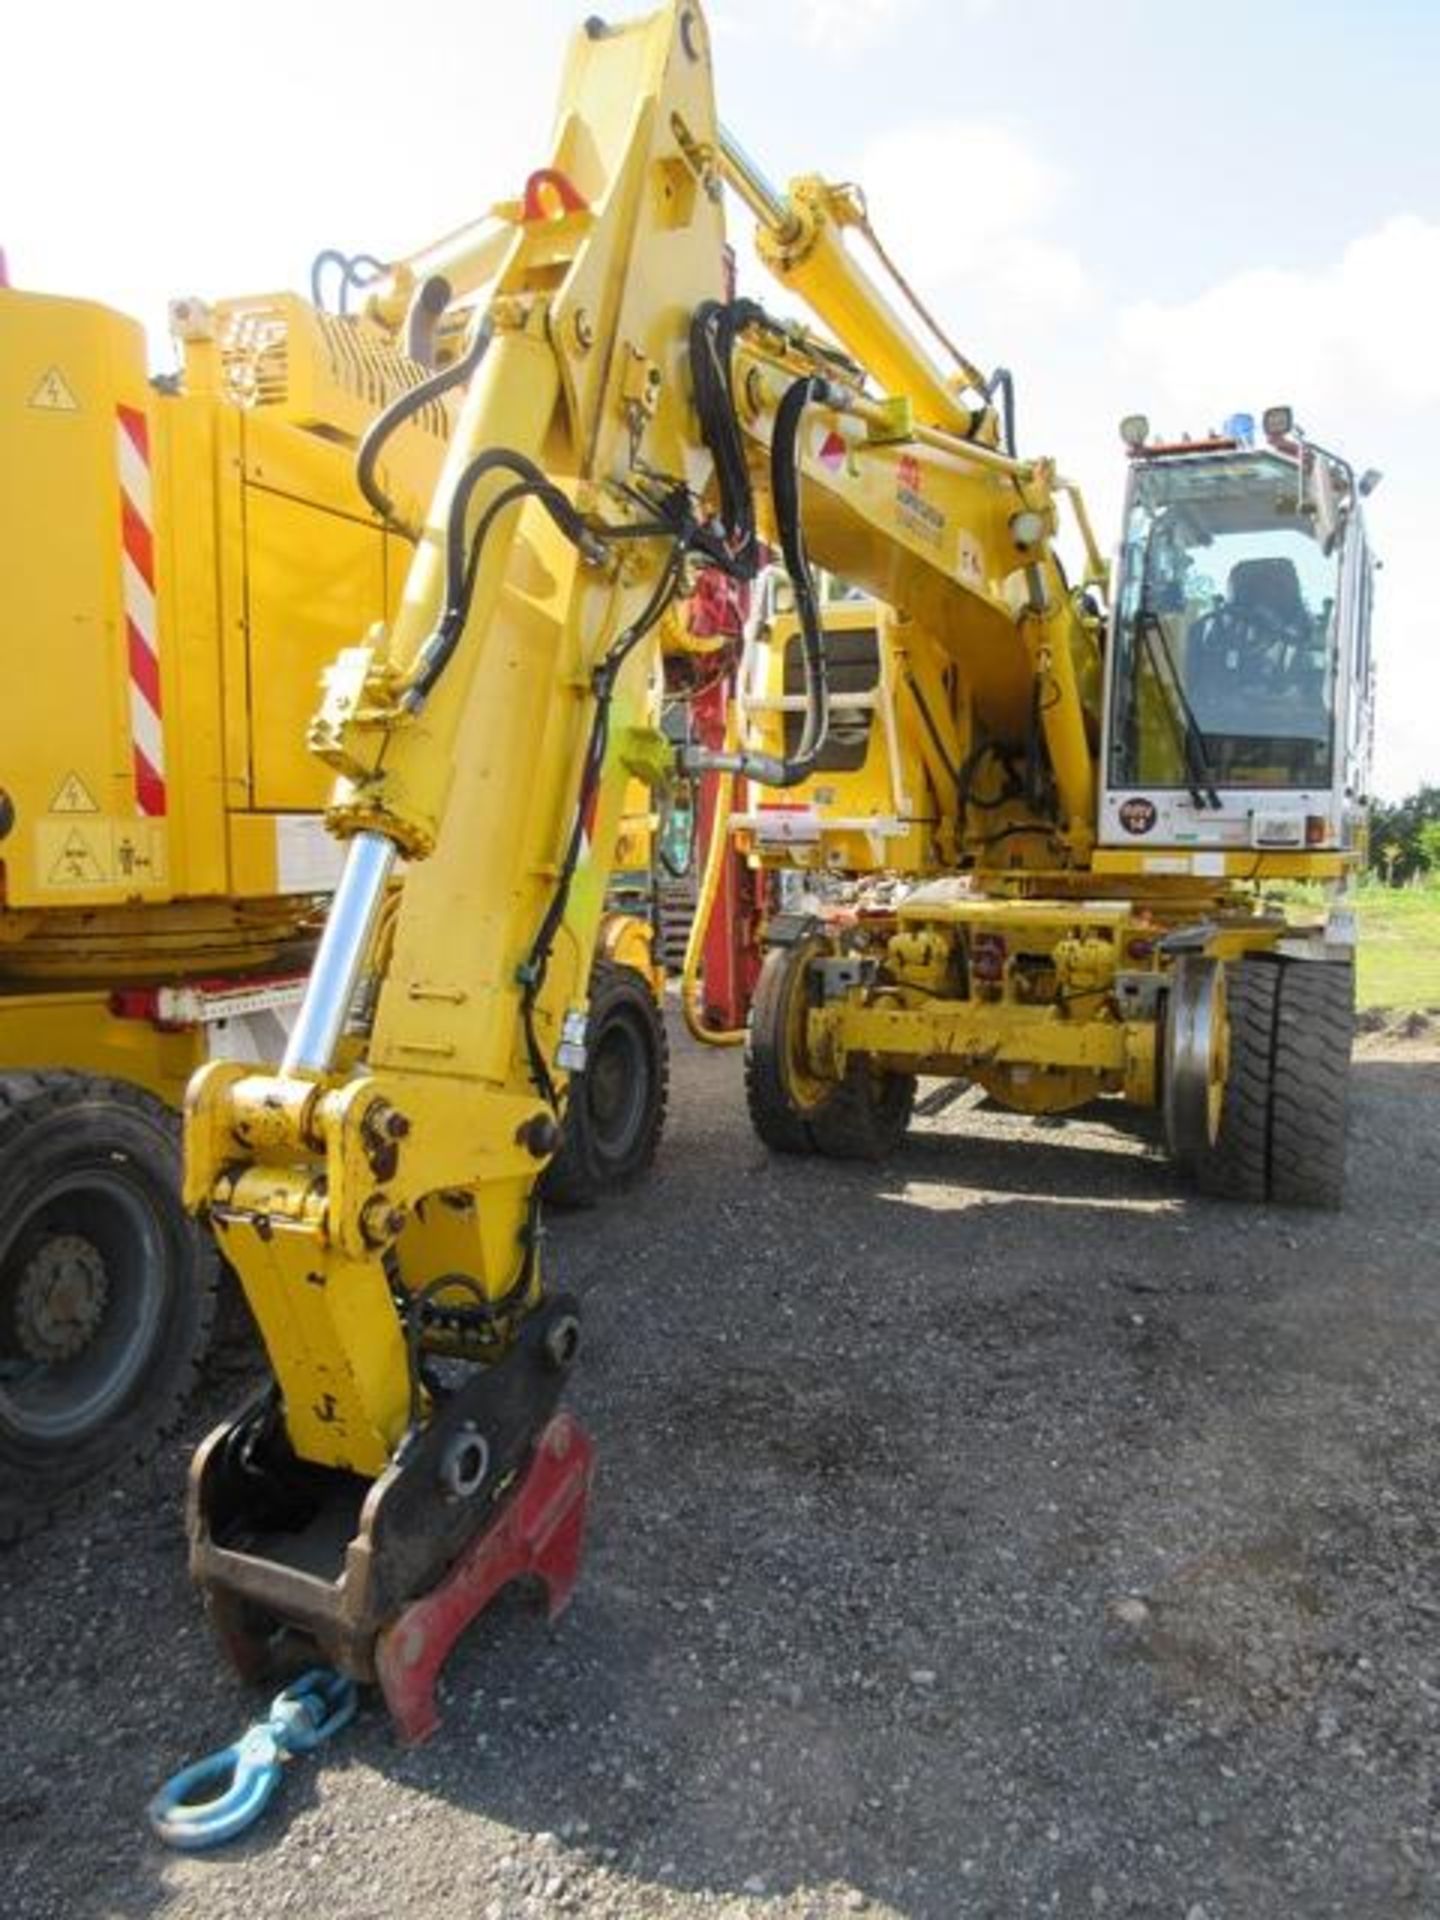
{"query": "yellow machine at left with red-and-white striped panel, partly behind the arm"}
pixel 181 556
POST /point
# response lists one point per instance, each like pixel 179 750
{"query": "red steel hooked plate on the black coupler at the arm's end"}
pixel 539 1535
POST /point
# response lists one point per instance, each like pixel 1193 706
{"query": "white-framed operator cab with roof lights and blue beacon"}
pixel 1239 675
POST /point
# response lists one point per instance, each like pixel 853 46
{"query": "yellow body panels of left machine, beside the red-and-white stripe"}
pixel 264 556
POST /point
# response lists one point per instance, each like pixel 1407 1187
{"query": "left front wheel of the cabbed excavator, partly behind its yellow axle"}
pixel 861 1118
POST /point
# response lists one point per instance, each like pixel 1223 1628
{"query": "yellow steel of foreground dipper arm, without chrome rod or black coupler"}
pixel 587 375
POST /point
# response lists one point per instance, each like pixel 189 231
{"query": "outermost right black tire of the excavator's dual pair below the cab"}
pixel 1314 1030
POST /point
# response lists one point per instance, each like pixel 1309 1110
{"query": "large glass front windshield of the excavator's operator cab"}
pixel 1224 631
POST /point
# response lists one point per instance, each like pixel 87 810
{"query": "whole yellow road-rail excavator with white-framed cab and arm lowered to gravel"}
pixel 619 423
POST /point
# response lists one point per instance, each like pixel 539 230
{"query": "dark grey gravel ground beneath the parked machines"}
pixel 997 1533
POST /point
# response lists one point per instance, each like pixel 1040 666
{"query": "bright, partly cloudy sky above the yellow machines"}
pixel 1138 206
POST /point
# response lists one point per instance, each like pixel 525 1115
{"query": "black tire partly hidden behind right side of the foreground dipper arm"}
pixel 606 1151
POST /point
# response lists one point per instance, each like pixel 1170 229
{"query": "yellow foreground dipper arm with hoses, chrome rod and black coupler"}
pixel 377 1195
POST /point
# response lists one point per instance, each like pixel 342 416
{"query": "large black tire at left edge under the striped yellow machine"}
pixel 108 1157
